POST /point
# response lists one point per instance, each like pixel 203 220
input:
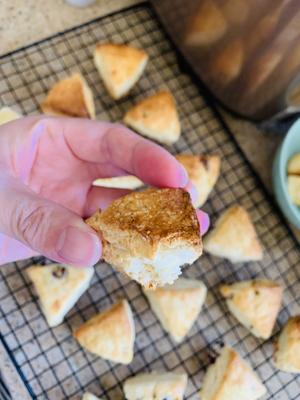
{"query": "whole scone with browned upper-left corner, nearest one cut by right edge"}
pixel 255 304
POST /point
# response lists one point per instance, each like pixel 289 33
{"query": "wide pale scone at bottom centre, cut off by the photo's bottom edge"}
pixel 156 386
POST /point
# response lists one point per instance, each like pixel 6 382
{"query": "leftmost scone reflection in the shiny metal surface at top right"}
pixel 206 26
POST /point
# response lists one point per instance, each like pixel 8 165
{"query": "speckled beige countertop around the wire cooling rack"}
pixel 50 17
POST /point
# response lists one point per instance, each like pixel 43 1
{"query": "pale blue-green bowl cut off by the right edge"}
pixel 289 147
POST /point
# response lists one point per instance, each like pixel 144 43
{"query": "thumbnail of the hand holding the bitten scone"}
pixel 76 246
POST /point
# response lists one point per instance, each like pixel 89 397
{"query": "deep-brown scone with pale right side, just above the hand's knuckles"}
pixel 70 97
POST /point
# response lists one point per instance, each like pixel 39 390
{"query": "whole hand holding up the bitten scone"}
pixel 47 166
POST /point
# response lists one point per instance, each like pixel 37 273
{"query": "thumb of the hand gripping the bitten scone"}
pixel 46 227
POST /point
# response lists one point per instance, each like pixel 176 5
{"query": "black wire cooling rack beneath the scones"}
pixel 50 362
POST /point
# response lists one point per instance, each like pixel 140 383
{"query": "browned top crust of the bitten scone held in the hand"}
pixel 152 214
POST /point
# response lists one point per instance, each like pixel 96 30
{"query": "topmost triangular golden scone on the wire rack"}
pixel 120 66
